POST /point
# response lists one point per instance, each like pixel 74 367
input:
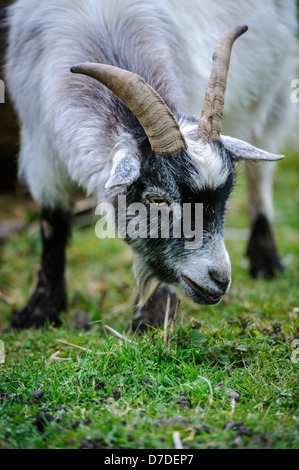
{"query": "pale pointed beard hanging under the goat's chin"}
pixel 146 281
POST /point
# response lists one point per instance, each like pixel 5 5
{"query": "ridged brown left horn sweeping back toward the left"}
pixel 145 103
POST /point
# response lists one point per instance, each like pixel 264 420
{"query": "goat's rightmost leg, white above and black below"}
pixel 261 248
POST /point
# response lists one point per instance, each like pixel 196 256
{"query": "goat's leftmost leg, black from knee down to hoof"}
pixel 49 297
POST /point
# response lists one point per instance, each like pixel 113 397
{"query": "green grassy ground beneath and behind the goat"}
pixel 122 395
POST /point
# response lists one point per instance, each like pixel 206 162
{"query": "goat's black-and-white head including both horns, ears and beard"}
pixel 179 160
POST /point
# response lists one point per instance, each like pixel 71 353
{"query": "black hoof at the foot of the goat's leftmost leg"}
pixel 39 310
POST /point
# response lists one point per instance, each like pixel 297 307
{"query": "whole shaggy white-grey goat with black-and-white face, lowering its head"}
pixel 130 128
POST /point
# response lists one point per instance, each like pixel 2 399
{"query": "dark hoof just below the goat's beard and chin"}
pixel 152 313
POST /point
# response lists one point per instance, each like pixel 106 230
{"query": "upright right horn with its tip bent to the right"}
pixel 210 123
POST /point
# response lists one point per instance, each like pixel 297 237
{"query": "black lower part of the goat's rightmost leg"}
pixel 261 250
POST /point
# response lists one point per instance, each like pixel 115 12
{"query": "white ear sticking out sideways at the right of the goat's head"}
pixel 240 150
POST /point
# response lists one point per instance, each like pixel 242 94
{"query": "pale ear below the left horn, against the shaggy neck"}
pixel 125 170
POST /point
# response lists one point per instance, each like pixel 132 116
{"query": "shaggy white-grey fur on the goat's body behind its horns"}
pixel 71 124
